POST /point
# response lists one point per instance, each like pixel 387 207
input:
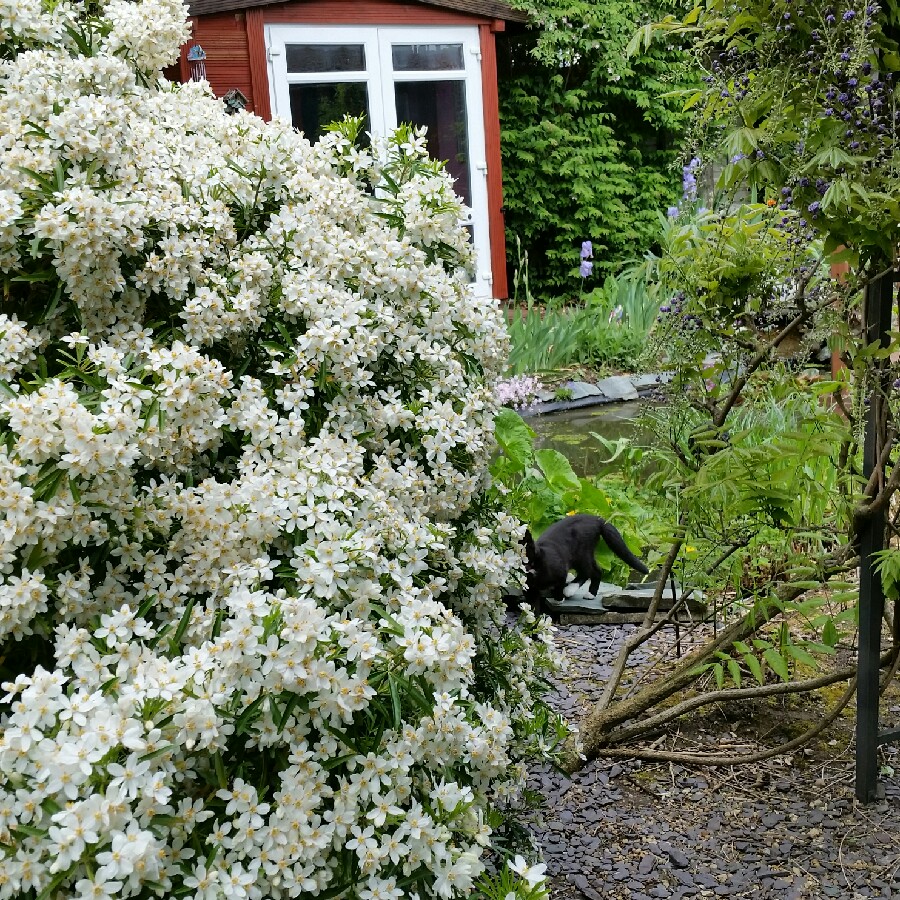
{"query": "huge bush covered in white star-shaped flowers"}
pixel 251 638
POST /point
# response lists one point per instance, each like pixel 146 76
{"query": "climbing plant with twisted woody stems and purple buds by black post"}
pixel 797 117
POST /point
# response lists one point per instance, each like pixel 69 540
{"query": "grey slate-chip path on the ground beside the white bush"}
pixel 638 831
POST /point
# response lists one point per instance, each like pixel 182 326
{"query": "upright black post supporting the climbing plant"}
pixel 879 297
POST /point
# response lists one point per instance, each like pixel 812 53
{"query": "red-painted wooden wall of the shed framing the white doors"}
pixel 236 58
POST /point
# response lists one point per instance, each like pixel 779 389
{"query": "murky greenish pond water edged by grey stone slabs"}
pixel 570 432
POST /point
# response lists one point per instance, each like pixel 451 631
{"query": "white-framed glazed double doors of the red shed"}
pixel 427 75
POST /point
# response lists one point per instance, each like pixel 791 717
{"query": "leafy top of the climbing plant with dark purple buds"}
pixel 800 101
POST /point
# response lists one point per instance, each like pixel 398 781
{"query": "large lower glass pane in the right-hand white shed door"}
pixel 441 106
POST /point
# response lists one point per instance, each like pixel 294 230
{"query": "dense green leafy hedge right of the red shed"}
pixel 590 141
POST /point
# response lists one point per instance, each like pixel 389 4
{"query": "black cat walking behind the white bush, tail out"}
pixel 569 544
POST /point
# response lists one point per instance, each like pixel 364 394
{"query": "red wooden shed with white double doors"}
pixel 431 62
